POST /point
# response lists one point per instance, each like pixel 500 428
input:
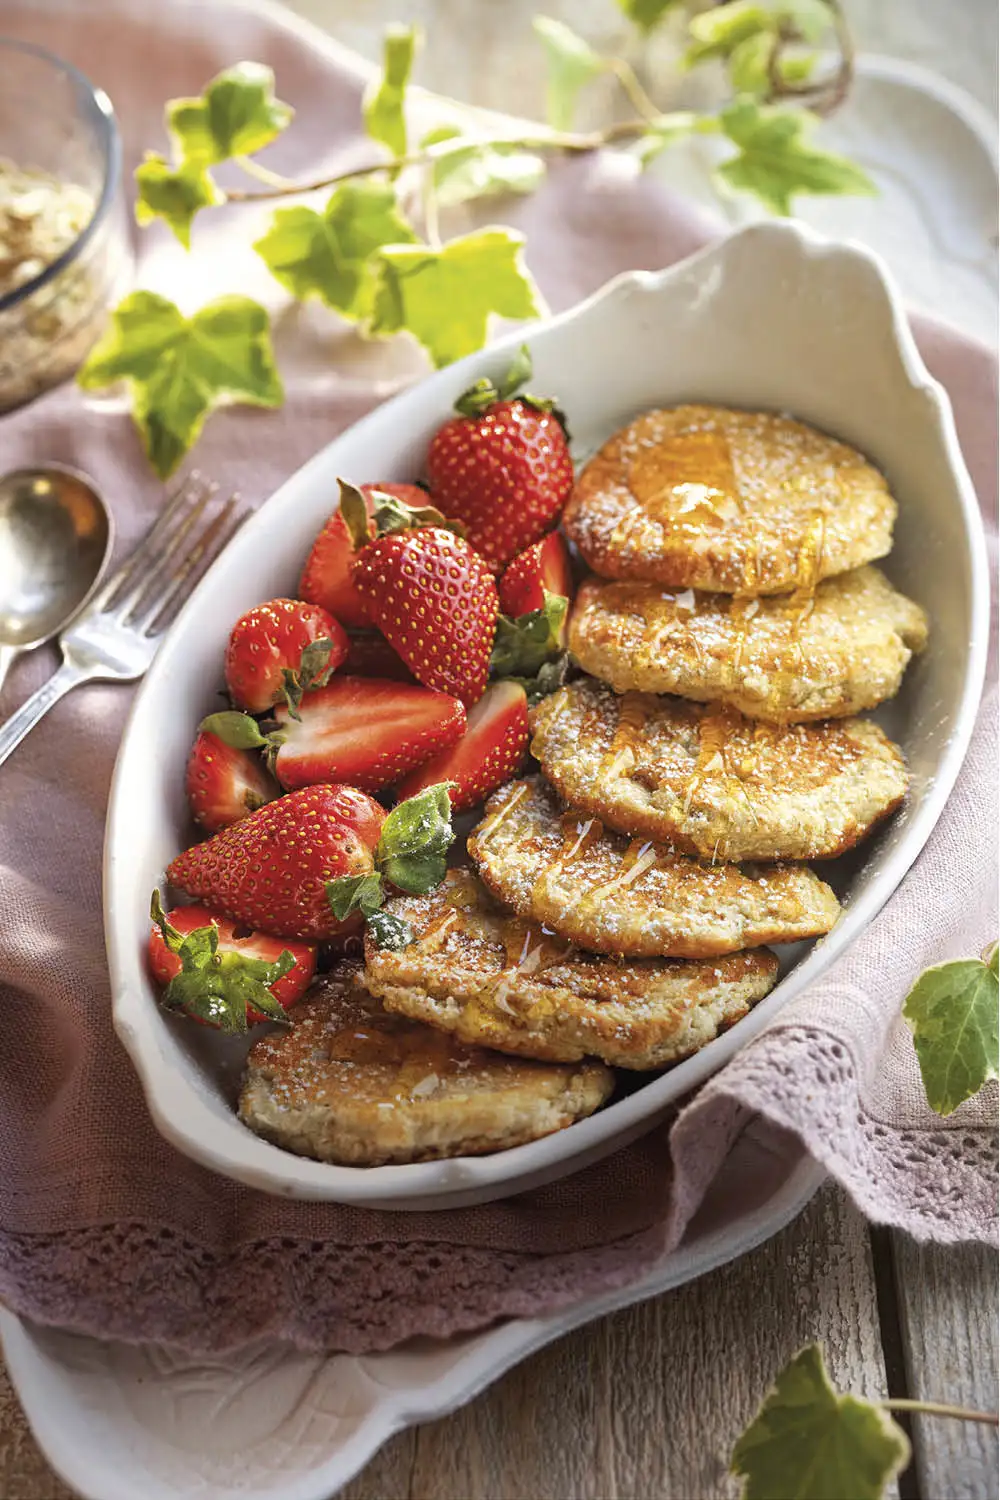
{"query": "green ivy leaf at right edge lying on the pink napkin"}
pixel 953 1015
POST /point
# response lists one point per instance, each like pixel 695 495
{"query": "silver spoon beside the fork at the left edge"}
pixel 56 536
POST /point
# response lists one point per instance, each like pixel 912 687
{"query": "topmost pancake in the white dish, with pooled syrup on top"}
pixel 734 502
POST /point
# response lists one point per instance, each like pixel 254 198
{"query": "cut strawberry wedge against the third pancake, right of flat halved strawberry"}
pixel 488 754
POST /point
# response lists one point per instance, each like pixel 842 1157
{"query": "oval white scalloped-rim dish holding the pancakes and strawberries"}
pixel 774 317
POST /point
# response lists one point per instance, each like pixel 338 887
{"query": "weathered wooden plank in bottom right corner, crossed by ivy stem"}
pixel 948 1318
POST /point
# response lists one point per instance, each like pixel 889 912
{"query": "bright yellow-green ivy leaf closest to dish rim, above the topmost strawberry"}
pixel 446 296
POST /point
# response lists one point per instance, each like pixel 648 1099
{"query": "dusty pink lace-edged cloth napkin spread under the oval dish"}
pixel 104 1228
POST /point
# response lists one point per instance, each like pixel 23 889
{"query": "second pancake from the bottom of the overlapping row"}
pixel 501 982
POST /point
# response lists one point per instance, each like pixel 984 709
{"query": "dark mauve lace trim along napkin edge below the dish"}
pixel 137 1283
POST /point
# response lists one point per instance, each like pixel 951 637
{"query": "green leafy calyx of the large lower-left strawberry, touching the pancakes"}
pixel 412 856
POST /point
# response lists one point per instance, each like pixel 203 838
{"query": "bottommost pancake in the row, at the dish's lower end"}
pixel 350 1084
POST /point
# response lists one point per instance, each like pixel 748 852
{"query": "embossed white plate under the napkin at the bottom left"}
pixel 124 1423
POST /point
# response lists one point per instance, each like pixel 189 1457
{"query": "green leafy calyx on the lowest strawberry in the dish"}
pixel 217 988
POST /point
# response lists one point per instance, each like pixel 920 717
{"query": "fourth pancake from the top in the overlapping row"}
pixel 635 898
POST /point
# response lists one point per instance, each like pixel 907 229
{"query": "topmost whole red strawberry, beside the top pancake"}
pixel 501 467
